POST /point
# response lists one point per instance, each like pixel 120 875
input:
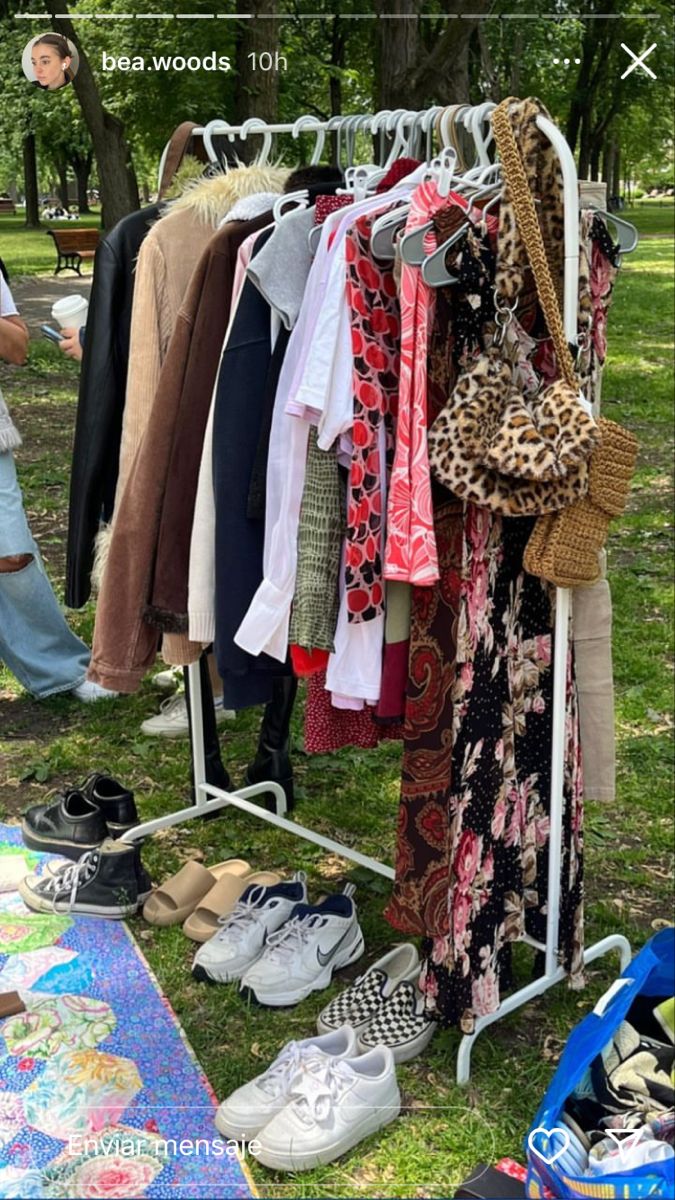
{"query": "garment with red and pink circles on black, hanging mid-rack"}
pixel 375 321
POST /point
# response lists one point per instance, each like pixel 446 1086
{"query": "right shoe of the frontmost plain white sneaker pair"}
pixel 331 1111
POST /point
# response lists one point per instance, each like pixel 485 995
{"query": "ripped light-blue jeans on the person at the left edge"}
pixel 35 641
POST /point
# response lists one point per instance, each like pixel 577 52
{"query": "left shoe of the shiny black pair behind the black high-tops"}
pixel 69 826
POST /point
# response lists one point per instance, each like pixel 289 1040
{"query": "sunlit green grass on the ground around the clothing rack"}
pixel 354 795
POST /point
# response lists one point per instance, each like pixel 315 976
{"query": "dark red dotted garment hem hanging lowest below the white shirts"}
pixel 328 729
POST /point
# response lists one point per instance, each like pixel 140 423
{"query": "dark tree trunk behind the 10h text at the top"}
pixel 258 91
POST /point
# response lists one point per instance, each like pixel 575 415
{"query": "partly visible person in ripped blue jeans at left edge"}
pixel 35 641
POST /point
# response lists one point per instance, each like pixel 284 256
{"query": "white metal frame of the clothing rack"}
pixel 210 799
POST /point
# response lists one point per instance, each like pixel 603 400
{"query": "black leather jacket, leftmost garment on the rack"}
pixel 103 387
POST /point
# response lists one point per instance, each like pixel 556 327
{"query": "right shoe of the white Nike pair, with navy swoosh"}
pixel 303 955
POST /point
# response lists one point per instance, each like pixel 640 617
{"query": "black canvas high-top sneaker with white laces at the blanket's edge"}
pixel 103 884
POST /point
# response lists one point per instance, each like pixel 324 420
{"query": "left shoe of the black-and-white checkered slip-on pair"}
pixel 360 1004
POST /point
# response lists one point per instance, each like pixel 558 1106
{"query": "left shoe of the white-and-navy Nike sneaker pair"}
pixel 241 939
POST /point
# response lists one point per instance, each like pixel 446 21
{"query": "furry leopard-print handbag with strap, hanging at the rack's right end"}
pixel 493 445
